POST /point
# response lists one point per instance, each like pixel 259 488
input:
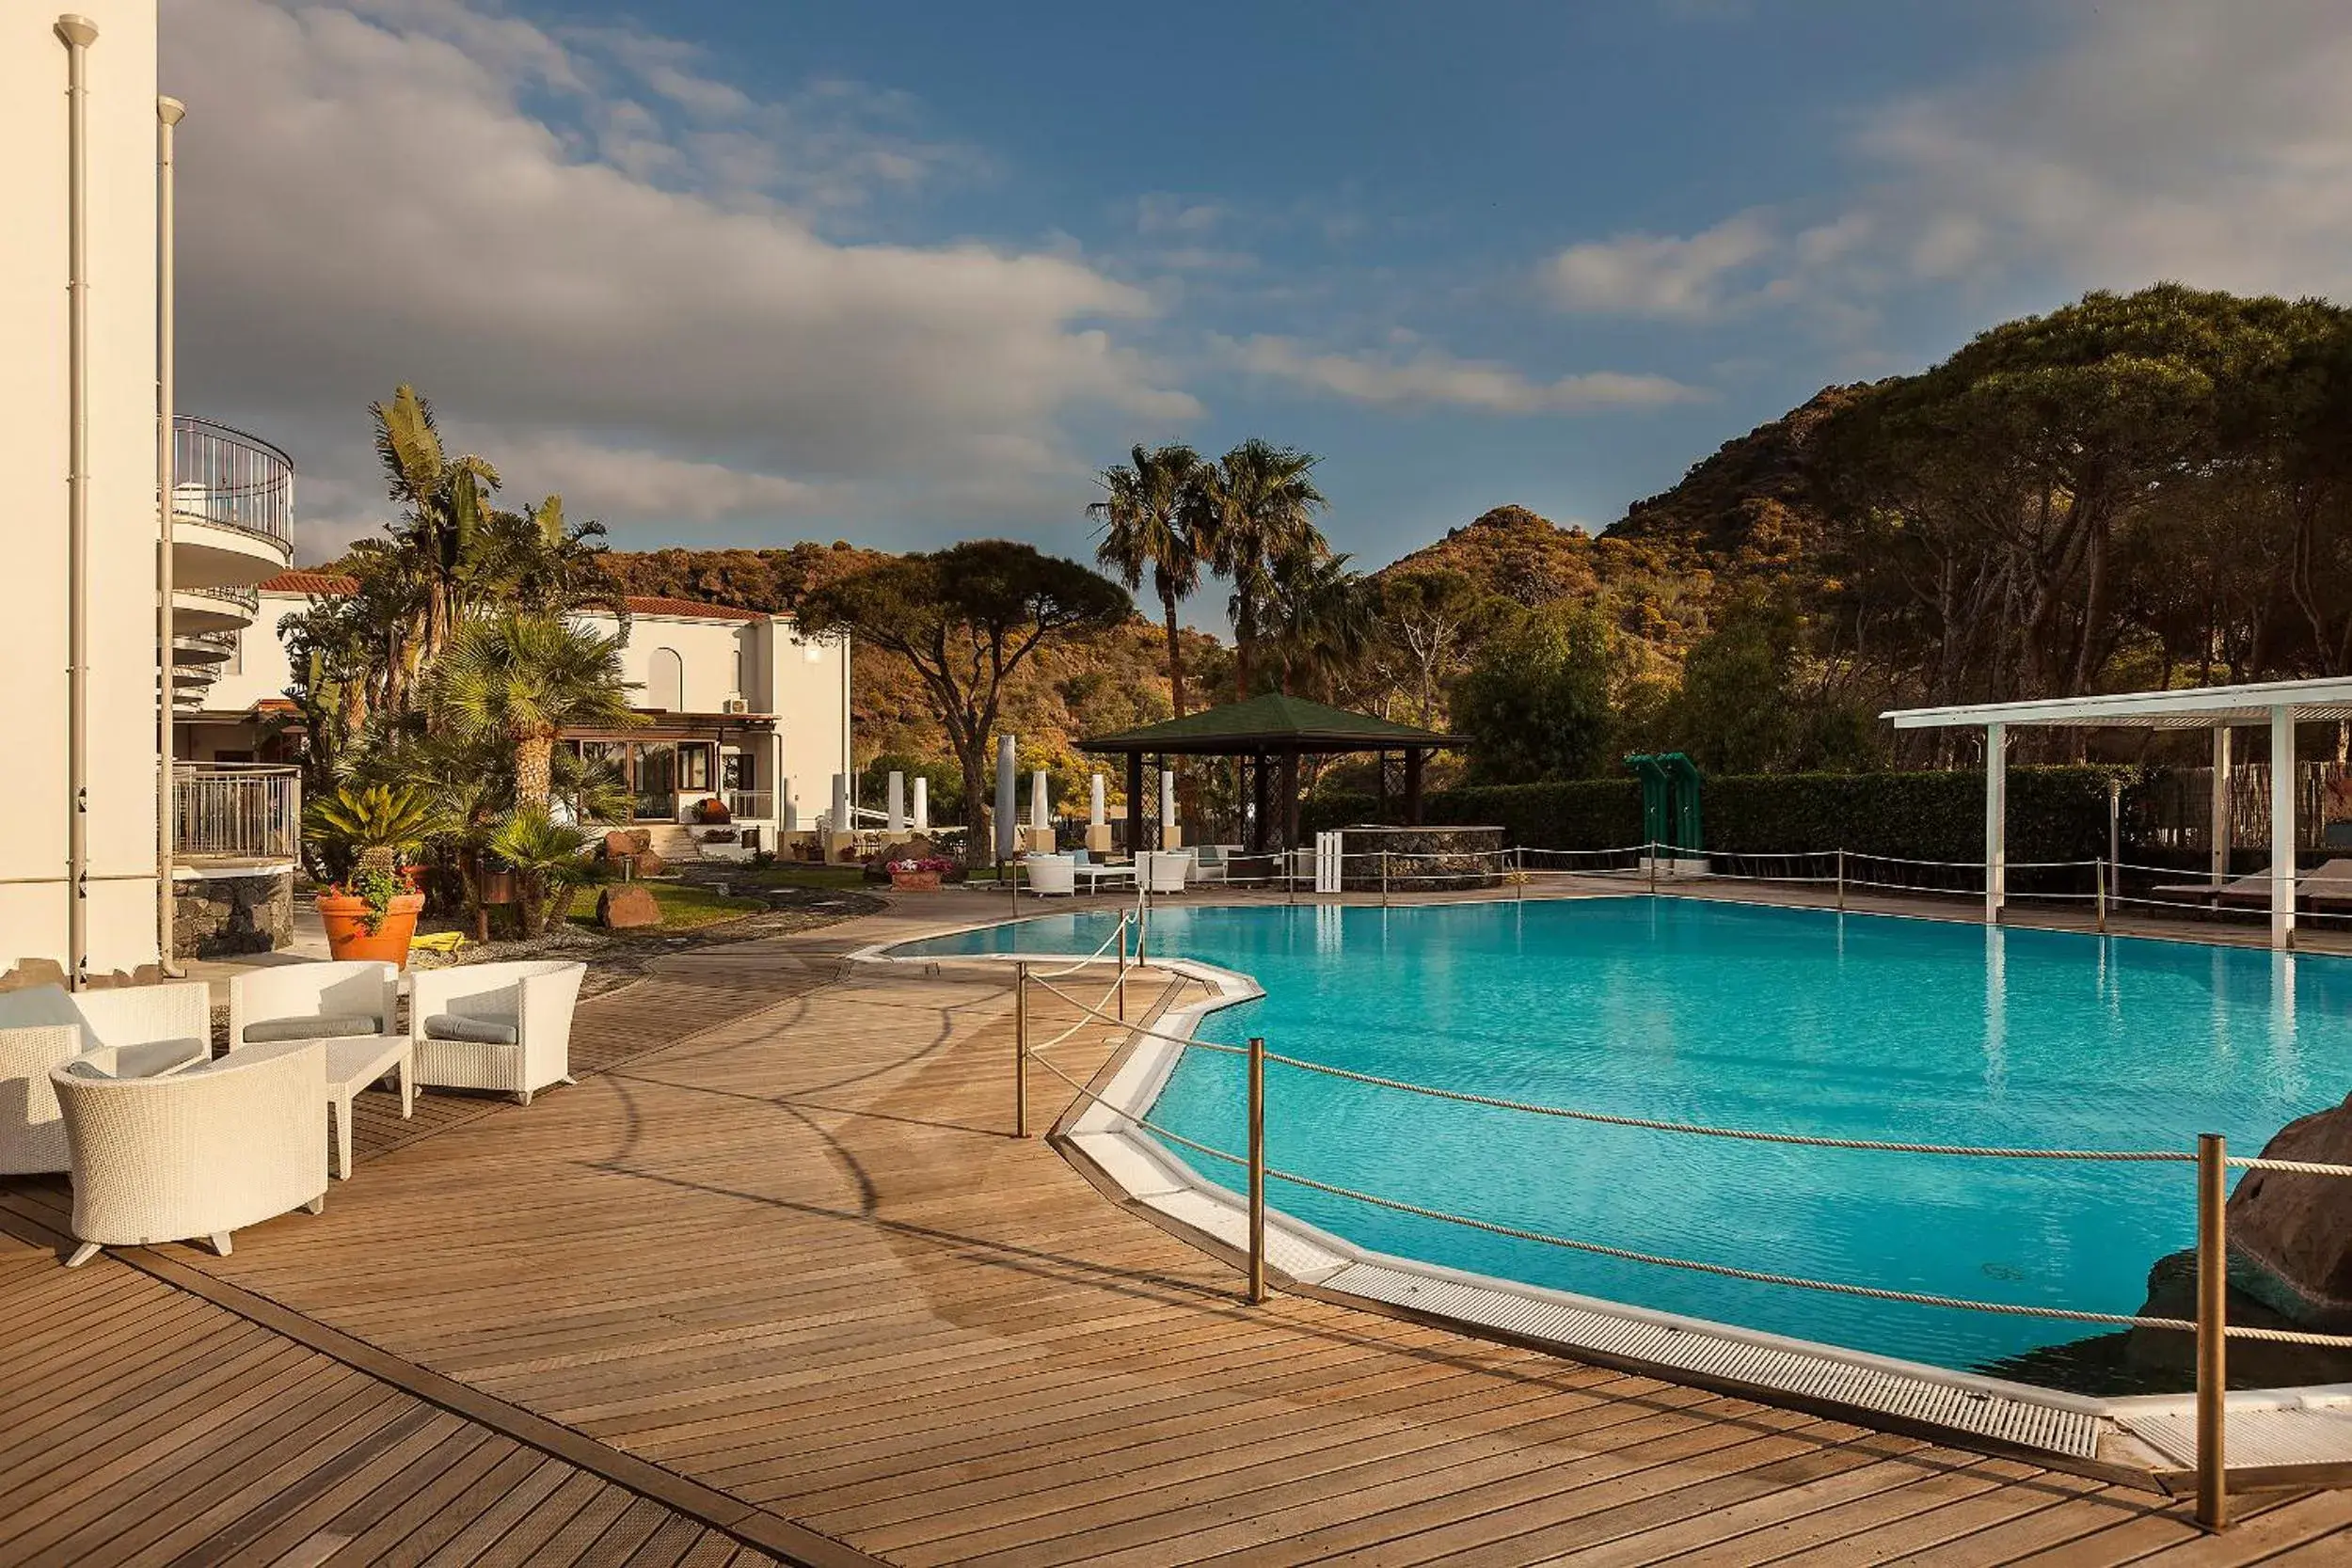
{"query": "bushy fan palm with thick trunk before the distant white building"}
pixel 523 678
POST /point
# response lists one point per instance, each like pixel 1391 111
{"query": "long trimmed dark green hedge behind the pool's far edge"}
pixel 2054 812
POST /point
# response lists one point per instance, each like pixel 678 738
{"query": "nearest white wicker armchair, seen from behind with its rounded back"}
pixel 199 1153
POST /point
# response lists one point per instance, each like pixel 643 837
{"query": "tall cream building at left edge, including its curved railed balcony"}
pixel 86 349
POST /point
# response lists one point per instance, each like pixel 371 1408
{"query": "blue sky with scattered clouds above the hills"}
pixel 756 272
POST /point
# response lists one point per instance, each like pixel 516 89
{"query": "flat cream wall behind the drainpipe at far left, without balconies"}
pixel 34 448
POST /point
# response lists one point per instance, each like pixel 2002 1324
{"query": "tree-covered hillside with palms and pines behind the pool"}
pixel 2132 490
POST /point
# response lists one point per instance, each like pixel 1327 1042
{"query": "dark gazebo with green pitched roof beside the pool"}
pixel 1269 730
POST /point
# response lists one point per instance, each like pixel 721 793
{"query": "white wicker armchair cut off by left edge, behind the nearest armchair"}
pixel 128 1033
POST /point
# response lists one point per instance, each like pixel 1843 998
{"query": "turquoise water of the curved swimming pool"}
pixel 1768 1019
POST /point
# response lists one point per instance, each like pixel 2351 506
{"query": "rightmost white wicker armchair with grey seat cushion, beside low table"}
pixel 495 1026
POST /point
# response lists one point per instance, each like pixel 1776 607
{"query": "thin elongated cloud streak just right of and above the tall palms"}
pixel 1434 377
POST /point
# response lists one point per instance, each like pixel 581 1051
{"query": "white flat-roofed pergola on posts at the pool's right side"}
pixel 2217 709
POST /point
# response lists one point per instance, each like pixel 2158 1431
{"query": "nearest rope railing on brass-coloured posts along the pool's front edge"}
pixel 2210 1160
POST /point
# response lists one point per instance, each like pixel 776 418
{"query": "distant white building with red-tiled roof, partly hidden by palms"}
pixel 733 704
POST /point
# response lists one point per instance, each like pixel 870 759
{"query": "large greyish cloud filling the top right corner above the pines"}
pixel 2163 140
